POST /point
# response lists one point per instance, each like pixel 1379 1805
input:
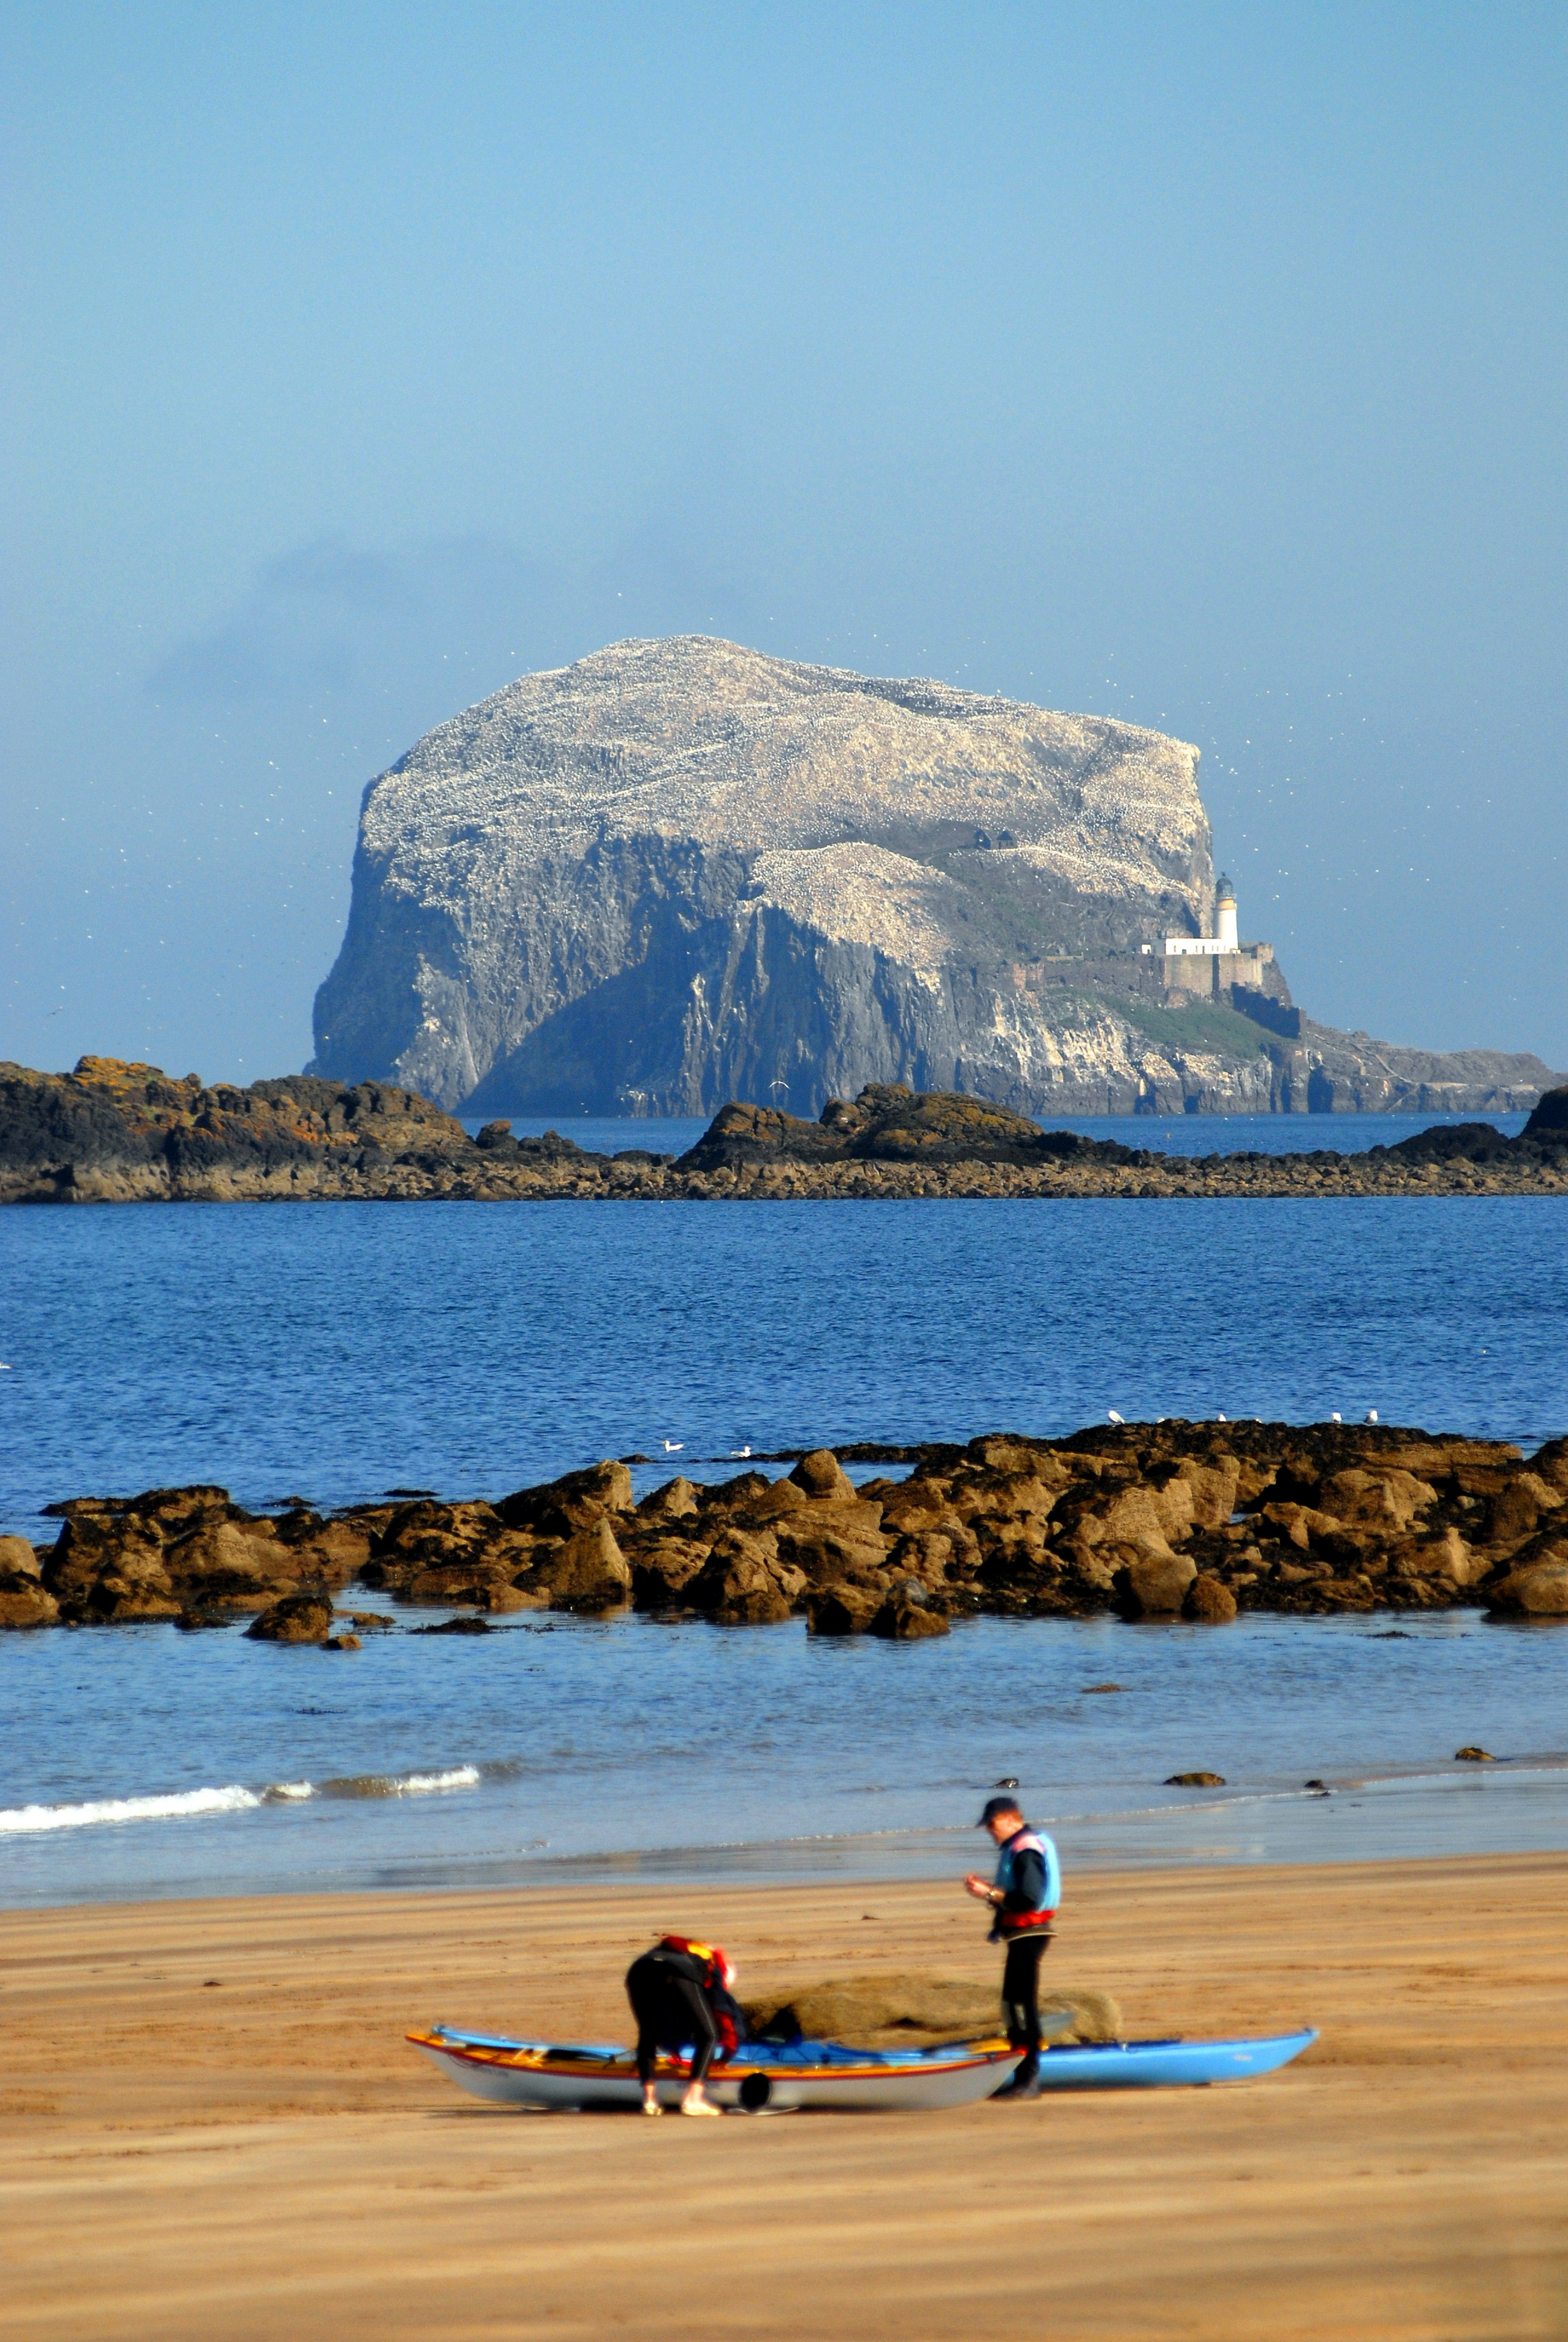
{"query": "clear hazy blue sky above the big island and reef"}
pixel 1192 364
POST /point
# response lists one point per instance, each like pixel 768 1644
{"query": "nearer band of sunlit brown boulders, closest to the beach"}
pixel 1145 1521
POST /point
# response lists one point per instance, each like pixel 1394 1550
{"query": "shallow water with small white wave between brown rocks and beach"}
pixel 693 1751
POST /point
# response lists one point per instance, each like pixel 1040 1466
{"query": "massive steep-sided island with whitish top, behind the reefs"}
pixel 681 872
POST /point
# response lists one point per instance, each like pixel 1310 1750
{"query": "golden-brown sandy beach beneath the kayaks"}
pixel 259 2156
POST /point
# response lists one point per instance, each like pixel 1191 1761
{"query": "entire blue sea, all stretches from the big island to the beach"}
pixel 346 1350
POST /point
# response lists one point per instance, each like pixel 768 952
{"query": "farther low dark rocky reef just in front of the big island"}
pixel 114 1132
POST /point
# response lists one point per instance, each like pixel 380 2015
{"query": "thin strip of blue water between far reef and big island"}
pixel 1182 1135
